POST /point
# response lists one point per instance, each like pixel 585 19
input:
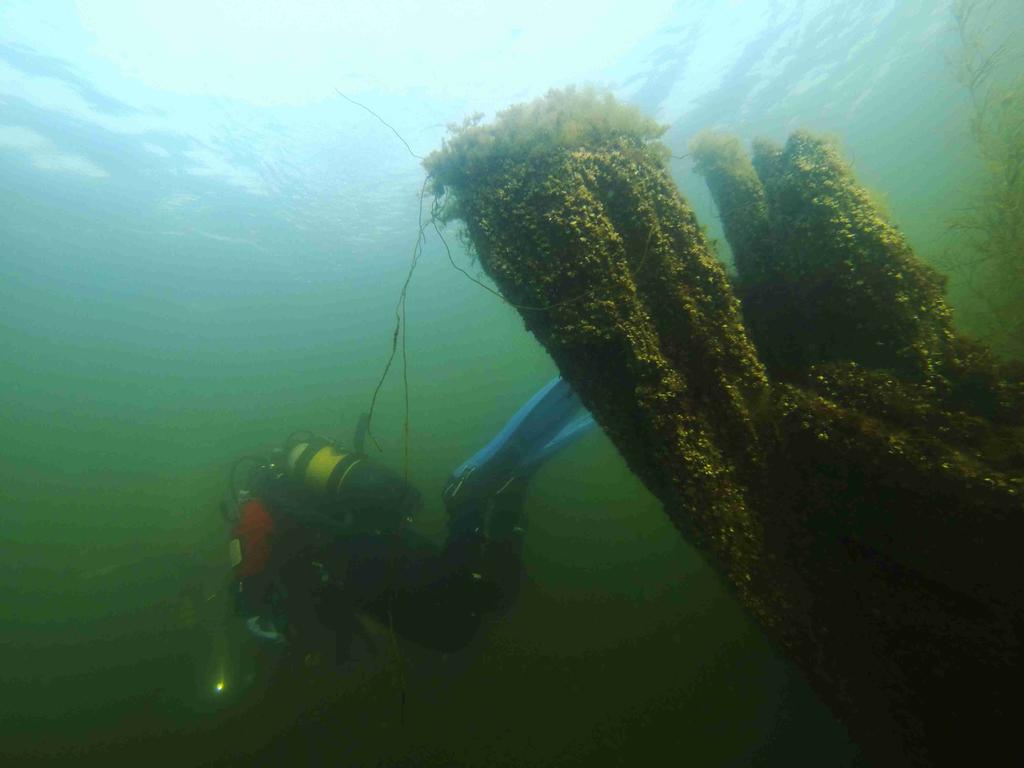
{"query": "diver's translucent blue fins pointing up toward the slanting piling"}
pixel 548 422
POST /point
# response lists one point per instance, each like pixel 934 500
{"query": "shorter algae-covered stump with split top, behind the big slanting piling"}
pixel 824 276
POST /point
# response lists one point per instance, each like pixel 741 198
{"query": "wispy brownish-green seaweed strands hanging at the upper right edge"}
pixel 992 225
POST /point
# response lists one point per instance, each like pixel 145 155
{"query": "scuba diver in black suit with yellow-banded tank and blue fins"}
pixel 321 536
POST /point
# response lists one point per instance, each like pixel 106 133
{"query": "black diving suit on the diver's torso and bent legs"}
pixel 318 581
